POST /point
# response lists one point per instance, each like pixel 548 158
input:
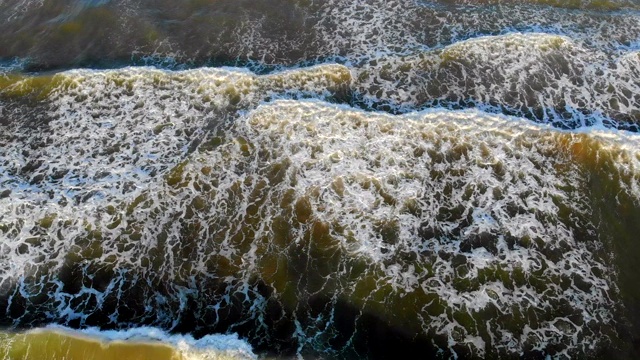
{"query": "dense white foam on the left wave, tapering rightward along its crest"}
pixel 109 136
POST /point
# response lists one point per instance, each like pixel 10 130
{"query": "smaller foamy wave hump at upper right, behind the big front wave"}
pixel 548 78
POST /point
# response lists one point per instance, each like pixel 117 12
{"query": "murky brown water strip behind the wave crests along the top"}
pixel 279 33
